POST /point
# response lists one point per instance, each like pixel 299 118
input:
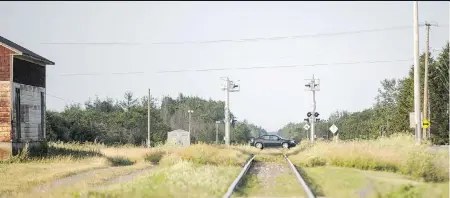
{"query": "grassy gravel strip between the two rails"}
pixel 269 179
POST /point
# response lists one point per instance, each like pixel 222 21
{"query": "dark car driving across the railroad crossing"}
pixel 272 141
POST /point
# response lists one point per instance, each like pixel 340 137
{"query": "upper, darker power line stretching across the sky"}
pixel 236 40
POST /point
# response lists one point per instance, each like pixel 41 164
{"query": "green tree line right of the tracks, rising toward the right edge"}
pixel 390 113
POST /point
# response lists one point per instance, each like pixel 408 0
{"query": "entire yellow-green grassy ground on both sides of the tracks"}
pixel 203 170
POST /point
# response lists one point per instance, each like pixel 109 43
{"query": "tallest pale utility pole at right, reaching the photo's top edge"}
pixel 416 72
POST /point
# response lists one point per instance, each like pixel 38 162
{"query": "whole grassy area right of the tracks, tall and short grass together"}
pixel 387 167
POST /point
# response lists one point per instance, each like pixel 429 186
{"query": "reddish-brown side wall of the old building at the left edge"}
pixel 5 94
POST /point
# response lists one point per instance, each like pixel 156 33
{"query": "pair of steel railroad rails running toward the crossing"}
pixel 248 166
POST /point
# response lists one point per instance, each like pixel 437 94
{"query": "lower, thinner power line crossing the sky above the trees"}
pixel 245 68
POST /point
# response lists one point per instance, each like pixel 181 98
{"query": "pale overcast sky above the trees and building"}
pixel 269 97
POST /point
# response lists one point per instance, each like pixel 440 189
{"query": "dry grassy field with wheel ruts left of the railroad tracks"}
pixel 200 171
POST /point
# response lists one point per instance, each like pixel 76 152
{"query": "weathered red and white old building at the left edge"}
pixel 22 98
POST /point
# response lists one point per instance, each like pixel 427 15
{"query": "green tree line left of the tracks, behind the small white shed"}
pixel 125 121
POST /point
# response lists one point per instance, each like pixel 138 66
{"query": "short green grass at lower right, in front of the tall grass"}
pixel 350 182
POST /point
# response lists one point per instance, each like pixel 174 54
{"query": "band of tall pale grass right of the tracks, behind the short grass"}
pixel 399 153
